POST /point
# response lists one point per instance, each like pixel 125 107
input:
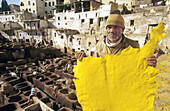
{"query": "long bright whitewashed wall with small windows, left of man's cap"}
pixel 81 21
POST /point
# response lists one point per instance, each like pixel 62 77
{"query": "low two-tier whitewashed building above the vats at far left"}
pixel 33 31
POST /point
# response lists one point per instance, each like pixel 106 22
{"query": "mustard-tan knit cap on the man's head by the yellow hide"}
pixel 115 19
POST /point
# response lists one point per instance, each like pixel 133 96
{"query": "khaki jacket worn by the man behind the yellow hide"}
pixel 102 49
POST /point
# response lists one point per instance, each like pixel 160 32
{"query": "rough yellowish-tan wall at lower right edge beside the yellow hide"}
pixel 162 99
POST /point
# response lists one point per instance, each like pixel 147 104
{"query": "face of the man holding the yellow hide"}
pixel 114 33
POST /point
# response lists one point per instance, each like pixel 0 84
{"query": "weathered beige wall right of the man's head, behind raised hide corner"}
pixel 142 18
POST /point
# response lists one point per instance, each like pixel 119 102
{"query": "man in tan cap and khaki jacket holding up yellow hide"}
pixel 115 41
